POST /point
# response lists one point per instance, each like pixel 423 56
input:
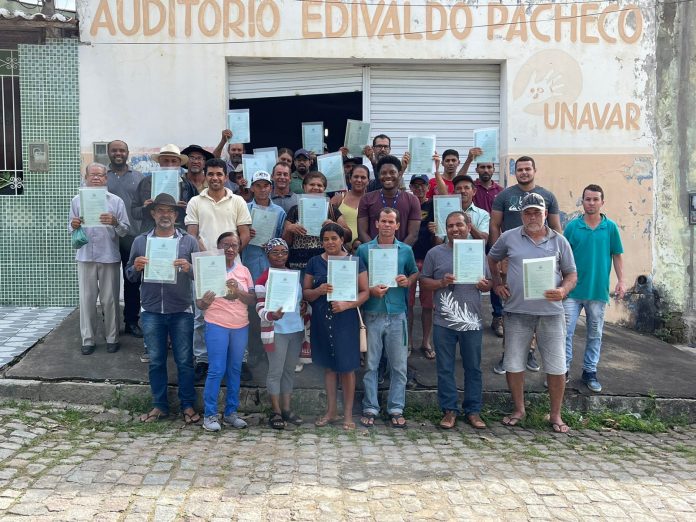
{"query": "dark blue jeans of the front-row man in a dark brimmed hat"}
pixel 157 328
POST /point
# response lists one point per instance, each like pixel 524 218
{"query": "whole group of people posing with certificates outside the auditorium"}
pixel 209 336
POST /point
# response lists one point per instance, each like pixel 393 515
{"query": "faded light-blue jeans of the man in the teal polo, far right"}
pixel 594 311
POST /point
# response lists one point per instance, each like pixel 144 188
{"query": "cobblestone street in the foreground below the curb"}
pixel 57 463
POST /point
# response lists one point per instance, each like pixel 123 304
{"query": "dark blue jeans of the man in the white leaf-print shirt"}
pixel 445 341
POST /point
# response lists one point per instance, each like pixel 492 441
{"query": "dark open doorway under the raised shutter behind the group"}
pixel 277 122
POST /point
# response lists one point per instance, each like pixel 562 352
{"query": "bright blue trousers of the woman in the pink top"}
pixel 225 352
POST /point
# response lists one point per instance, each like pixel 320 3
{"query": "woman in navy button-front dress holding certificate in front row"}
pixel 335 327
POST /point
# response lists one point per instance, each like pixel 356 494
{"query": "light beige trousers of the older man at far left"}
pixel 99 280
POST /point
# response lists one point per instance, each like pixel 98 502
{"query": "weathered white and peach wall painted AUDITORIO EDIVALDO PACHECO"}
pixel 577 93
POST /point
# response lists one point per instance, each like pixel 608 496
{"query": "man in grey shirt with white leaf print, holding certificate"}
pixel 457 319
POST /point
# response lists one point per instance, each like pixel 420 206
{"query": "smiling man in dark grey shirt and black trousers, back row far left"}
pixel 123 181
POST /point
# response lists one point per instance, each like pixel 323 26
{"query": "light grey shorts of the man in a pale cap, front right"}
pixel 550 331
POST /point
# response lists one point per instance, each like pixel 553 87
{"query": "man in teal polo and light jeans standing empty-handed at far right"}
pixel 596 243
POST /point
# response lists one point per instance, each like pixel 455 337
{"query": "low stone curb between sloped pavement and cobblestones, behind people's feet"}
pixel 309 400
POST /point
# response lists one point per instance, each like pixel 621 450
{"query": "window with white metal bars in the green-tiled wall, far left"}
pixel 11 171
